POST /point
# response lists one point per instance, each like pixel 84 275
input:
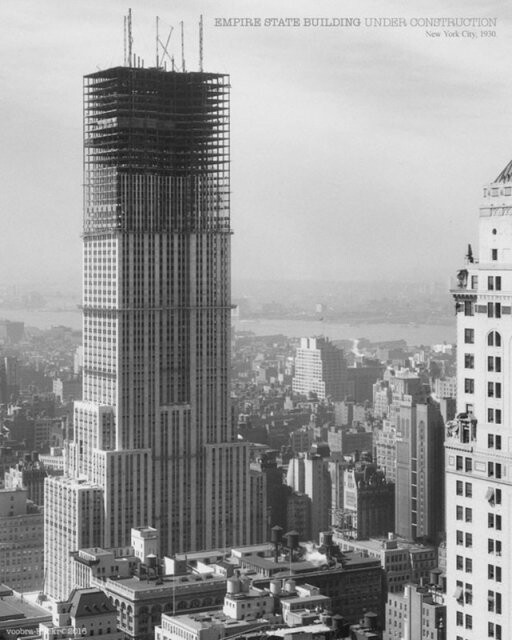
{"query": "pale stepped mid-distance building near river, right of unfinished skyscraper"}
pixel 320 368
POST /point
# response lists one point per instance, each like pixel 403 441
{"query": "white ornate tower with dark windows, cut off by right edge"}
pixel 478 444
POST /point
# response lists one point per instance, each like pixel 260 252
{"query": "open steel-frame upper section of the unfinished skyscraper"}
pixel 156 151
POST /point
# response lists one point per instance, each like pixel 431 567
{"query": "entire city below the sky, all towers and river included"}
pixel 170 470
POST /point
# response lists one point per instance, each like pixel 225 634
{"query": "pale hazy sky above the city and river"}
pixel 357 153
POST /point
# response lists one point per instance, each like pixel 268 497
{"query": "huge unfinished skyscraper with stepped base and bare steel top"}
pixel 153 442
